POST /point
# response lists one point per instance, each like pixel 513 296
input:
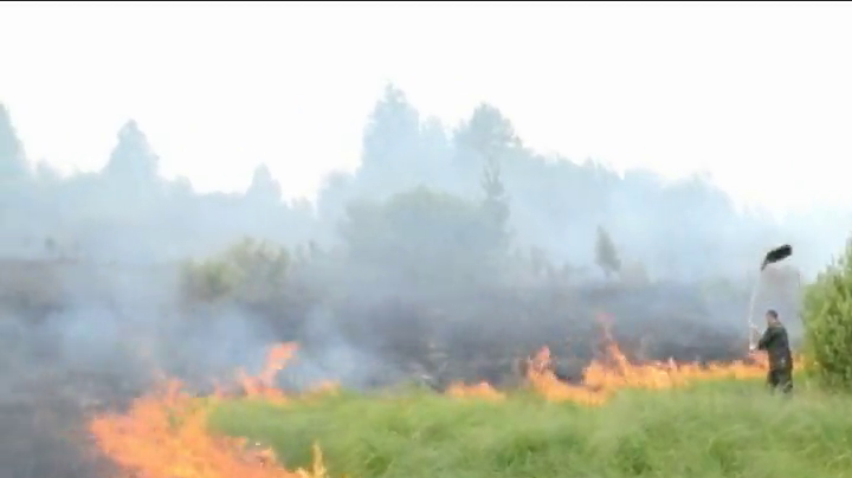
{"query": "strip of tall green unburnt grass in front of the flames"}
pixel 715 430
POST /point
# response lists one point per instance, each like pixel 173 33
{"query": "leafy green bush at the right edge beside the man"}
pixel 828 324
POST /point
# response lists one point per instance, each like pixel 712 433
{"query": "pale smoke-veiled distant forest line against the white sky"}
pixel 556 208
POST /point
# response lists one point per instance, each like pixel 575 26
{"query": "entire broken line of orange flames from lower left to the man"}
pixel 164 434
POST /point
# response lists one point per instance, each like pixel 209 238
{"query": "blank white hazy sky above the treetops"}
pixel 732 89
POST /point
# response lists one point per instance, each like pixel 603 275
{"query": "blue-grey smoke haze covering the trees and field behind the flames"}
pixel 448 254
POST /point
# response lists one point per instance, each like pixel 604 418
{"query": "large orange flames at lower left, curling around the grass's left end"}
pixel 164 434
